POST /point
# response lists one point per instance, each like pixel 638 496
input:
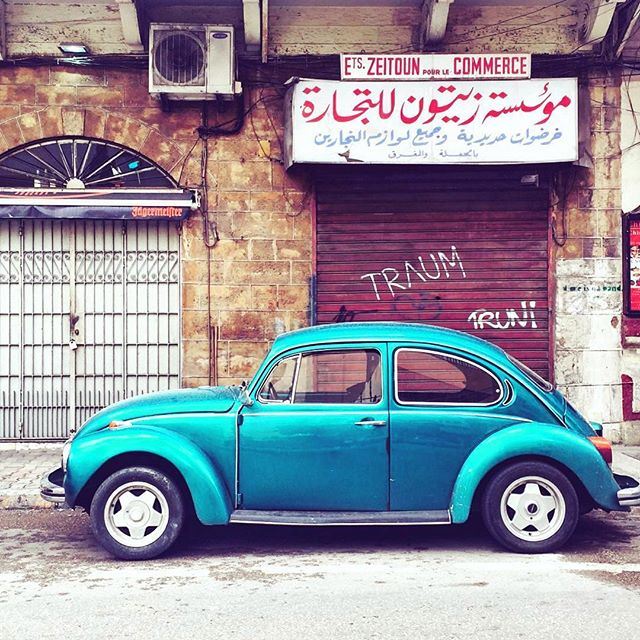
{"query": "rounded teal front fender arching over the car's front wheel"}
pixel 88 454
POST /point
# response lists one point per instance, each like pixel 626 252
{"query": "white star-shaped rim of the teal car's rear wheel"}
pixel 532 508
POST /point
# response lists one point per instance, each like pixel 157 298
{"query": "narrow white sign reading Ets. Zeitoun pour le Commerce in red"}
pixel 434 66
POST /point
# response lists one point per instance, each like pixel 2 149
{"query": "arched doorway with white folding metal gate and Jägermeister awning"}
pixel 89 282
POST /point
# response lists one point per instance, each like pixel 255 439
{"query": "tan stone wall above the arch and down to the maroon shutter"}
pixel 261 265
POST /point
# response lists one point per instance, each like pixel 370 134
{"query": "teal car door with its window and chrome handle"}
pixel 316 436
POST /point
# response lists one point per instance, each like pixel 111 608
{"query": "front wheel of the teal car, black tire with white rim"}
pixel 137 513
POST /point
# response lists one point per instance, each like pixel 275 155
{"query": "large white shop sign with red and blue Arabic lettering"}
pixel 449 122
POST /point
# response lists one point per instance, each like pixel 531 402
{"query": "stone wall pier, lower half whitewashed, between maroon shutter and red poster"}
pixel 588 268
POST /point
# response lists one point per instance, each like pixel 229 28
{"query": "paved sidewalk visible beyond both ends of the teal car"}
pixel 22 466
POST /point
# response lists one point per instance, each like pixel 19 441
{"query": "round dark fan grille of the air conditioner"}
pixel 179 58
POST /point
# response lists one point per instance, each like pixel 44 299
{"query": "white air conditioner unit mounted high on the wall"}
pixel 192 62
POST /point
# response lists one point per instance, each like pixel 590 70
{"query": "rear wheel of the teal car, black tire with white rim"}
pixel 530 507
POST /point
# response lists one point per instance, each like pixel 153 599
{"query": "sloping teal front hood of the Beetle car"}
pixel 202 399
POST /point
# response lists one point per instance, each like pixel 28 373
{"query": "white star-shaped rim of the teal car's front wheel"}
pixel 136 514
